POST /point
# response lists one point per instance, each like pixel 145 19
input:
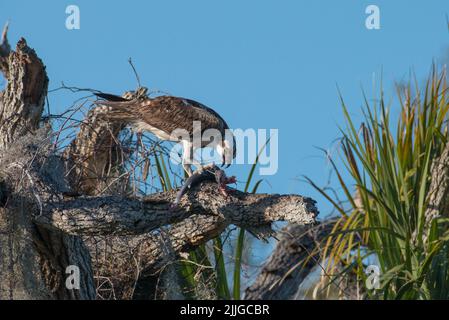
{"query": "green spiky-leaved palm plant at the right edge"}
pixel 384 214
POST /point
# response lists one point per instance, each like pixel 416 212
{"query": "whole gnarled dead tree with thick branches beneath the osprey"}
pixel 51 203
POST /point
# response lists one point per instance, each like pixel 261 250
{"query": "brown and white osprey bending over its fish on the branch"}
pixel 165 115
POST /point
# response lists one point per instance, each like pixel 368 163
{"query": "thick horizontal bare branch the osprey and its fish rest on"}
pixel 121 216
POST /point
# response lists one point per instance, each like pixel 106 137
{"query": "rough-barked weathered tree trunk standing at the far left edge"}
pixel 33 260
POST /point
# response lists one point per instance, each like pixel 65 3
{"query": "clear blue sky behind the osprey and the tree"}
pixel 260 64
